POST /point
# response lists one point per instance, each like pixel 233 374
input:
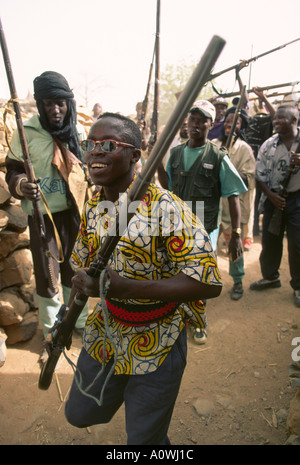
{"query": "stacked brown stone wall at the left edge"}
pixel 18 311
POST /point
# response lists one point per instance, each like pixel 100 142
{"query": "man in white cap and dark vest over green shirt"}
pixel 200 173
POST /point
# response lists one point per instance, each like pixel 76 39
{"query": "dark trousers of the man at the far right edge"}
pixel 272 245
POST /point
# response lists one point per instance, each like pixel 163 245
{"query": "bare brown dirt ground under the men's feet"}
pixel 238 380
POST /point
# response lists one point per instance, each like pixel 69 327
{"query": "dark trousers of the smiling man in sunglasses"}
pixel 149 399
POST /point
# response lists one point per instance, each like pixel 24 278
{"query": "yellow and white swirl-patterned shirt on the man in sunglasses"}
pixel 162 239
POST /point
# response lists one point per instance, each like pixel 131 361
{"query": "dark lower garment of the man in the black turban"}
pixel 67 225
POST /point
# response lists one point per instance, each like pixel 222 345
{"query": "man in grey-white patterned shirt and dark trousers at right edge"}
pixel 278 156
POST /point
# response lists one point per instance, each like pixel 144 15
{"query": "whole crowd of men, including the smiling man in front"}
pixel 154 286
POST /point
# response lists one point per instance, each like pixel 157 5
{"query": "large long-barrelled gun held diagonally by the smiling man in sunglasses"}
pixel 137 191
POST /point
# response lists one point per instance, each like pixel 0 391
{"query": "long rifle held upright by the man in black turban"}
pixel 37 212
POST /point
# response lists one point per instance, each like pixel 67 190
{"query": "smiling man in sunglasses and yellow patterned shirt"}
pixel 159 275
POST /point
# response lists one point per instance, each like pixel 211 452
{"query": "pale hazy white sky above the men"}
pixel 104 47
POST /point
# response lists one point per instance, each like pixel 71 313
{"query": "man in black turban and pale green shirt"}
pixel 53 143
